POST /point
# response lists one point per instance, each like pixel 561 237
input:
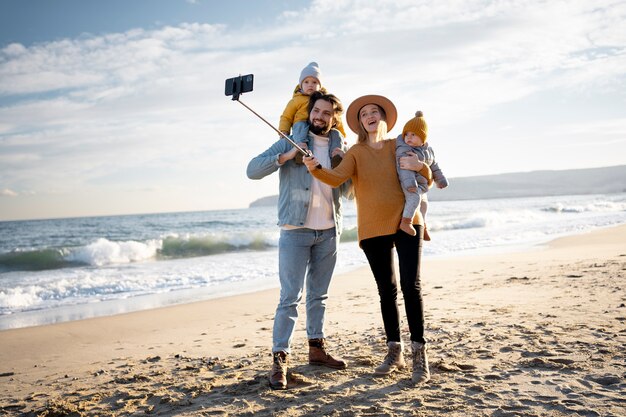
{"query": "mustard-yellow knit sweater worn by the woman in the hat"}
pixel 379 198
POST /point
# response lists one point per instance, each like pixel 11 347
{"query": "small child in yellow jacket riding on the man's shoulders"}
pixel 295 116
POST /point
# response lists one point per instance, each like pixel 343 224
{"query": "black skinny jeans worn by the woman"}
pixel 379 253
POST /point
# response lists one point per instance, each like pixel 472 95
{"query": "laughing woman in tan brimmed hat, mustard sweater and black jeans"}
pixel 371 165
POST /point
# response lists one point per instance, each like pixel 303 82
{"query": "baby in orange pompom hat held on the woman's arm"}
pixel 416 184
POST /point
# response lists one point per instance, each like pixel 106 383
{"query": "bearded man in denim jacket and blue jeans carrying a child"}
pixel 309 215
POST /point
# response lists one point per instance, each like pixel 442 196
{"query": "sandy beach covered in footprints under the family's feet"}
pixel 538 332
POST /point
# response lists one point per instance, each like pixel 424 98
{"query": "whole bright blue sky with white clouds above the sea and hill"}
pixel 118 107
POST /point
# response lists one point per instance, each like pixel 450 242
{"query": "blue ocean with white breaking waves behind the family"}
pixel 68 269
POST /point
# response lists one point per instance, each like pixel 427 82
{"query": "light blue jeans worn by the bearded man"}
pixel 310 253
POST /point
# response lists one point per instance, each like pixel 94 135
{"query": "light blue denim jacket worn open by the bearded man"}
pixel 294 191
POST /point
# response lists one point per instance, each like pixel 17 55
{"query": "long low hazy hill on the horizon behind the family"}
pixel 604 180
